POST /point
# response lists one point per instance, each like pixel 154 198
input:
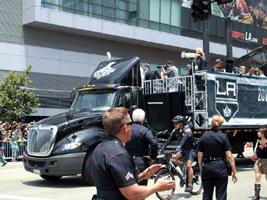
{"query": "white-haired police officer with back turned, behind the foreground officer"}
pixel 142 146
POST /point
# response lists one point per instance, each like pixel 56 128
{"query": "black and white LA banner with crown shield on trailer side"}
pixel 241 100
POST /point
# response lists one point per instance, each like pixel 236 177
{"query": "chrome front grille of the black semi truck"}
pixel 41 140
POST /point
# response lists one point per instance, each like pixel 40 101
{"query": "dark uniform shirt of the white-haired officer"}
pixel 142 142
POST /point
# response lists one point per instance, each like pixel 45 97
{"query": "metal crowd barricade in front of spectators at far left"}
pixel 7 150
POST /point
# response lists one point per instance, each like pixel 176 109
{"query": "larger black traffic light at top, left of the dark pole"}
pixel 201 10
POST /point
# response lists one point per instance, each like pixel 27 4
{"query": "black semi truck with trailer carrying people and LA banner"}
pixel 62 145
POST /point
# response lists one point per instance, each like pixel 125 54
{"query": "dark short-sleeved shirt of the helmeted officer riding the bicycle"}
pixel 184 137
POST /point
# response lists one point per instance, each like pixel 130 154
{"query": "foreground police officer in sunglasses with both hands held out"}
pixel 115 175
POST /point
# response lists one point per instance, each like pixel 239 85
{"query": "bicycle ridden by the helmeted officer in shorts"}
pixel 169 170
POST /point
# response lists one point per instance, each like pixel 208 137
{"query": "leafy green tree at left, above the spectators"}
pixel 16 98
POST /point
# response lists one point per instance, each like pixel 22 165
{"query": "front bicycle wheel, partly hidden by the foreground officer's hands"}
pixel 165 195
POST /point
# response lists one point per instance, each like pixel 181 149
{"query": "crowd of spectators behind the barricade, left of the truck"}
pixel 14 135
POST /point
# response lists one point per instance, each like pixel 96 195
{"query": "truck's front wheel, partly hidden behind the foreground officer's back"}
pixel 87 172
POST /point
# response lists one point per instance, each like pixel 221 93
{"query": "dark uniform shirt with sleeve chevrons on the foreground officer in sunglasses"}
pixel 113 168
